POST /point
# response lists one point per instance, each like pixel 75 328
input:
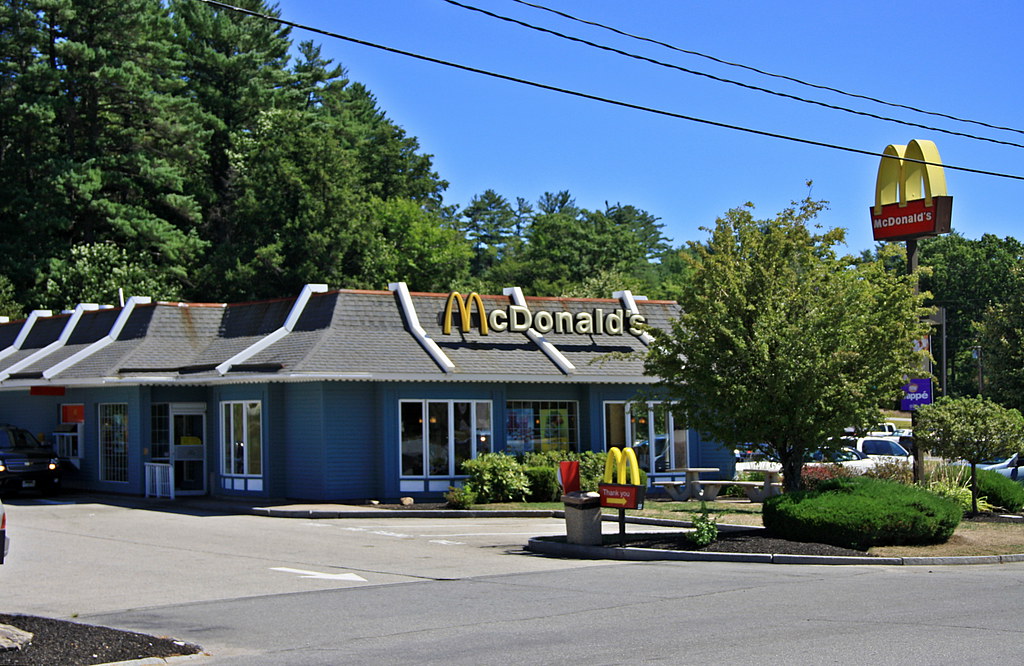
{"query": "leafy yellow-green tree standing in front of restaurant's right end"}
pixel 785 343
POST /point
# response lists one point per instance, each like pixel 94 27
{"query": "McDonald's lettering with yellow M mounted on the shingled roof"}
pixel 520 319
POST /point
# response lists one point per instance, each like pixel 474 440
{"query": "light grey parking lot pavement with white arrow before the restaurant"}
pixel 78 556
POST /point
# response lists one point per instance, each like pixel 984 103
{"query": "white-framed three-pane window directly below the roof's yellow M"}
pixel 439 436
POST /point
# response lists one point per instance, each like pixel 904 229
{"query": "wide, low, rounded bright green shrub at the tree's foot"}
pixel 862 513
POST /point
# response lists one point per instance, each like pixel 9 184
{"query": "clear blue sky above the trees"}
pixel 959 59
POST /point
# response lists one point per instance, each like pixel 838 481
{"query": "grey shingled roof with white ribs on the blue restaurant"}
pixel 326 336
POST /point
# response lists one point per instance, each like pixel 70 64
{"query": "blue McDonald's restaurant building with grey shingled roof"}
pixel 335 396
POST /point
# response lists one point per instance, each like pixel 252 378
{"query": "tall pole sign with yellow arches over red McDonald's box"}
pixel 911 196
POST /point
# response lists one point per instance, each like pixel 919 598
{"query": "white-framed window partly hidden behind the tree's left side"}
pixel 652 433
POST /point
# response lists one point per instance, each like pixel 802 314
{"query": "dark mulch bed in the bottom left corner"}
pixel 72 644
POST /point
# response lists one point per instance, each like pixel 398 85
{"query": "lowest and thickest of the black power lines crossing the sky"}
pixel 585 96
